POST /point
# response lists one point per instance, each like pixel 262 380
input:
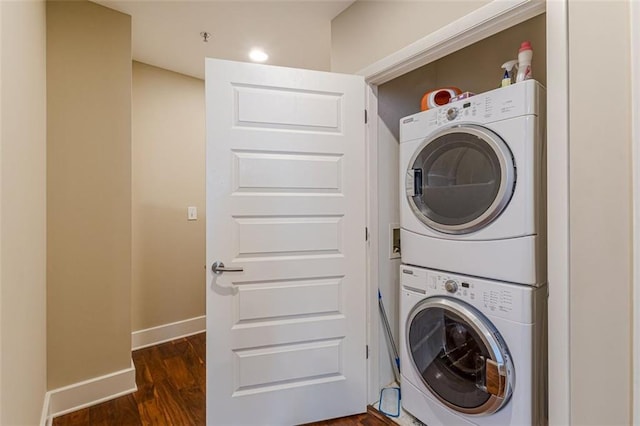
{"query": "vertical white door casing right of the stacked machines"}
pixel 558 243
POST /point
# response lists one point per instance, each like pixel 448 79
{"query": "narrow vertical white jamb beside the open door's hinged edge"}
pixel 373 317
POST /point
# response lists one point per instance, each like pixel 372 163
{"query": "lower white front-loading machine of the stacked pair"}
pixel 472 350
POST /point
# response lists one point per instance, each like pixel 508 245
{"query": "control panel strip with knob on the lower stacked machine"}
pixel 493 298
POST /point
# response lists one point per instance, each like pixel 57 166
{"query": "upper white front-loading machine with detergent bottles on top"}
pixel 472 179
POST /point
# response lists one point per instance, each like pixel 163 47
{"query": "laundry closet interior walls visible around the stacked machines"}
pixel 477 69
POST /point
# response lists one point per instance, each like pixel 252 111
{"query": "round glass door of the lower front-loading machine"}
pixel 460 356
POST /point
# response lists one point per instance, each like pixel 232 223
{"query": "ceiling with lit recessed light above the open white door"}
pixel 167 33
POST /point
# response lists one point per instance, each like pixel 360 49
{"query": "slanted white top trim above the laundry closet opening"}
pixel 483 22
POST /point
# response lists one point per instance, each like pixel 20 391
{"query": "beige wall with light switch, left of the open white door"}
pixel 168 175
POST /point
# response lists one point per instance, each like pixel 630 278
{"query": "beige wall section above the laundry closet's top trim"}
pixel 368 31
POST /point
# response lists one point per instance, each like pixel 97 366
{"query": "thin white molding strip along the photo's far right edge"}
pixel 634 14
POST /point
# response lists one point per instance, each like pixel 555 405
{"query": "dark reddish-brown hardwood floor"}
pixel 171 380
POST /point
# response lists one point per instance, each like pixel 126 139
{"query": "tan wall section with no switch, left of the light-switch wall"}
pixel 88 191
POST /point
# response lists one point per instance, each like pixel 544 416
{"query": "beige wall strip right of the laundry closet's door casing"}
pixel 600 213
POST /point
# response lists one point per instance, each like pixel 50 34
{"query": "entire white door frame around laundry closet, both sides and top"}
pixel 485 21
